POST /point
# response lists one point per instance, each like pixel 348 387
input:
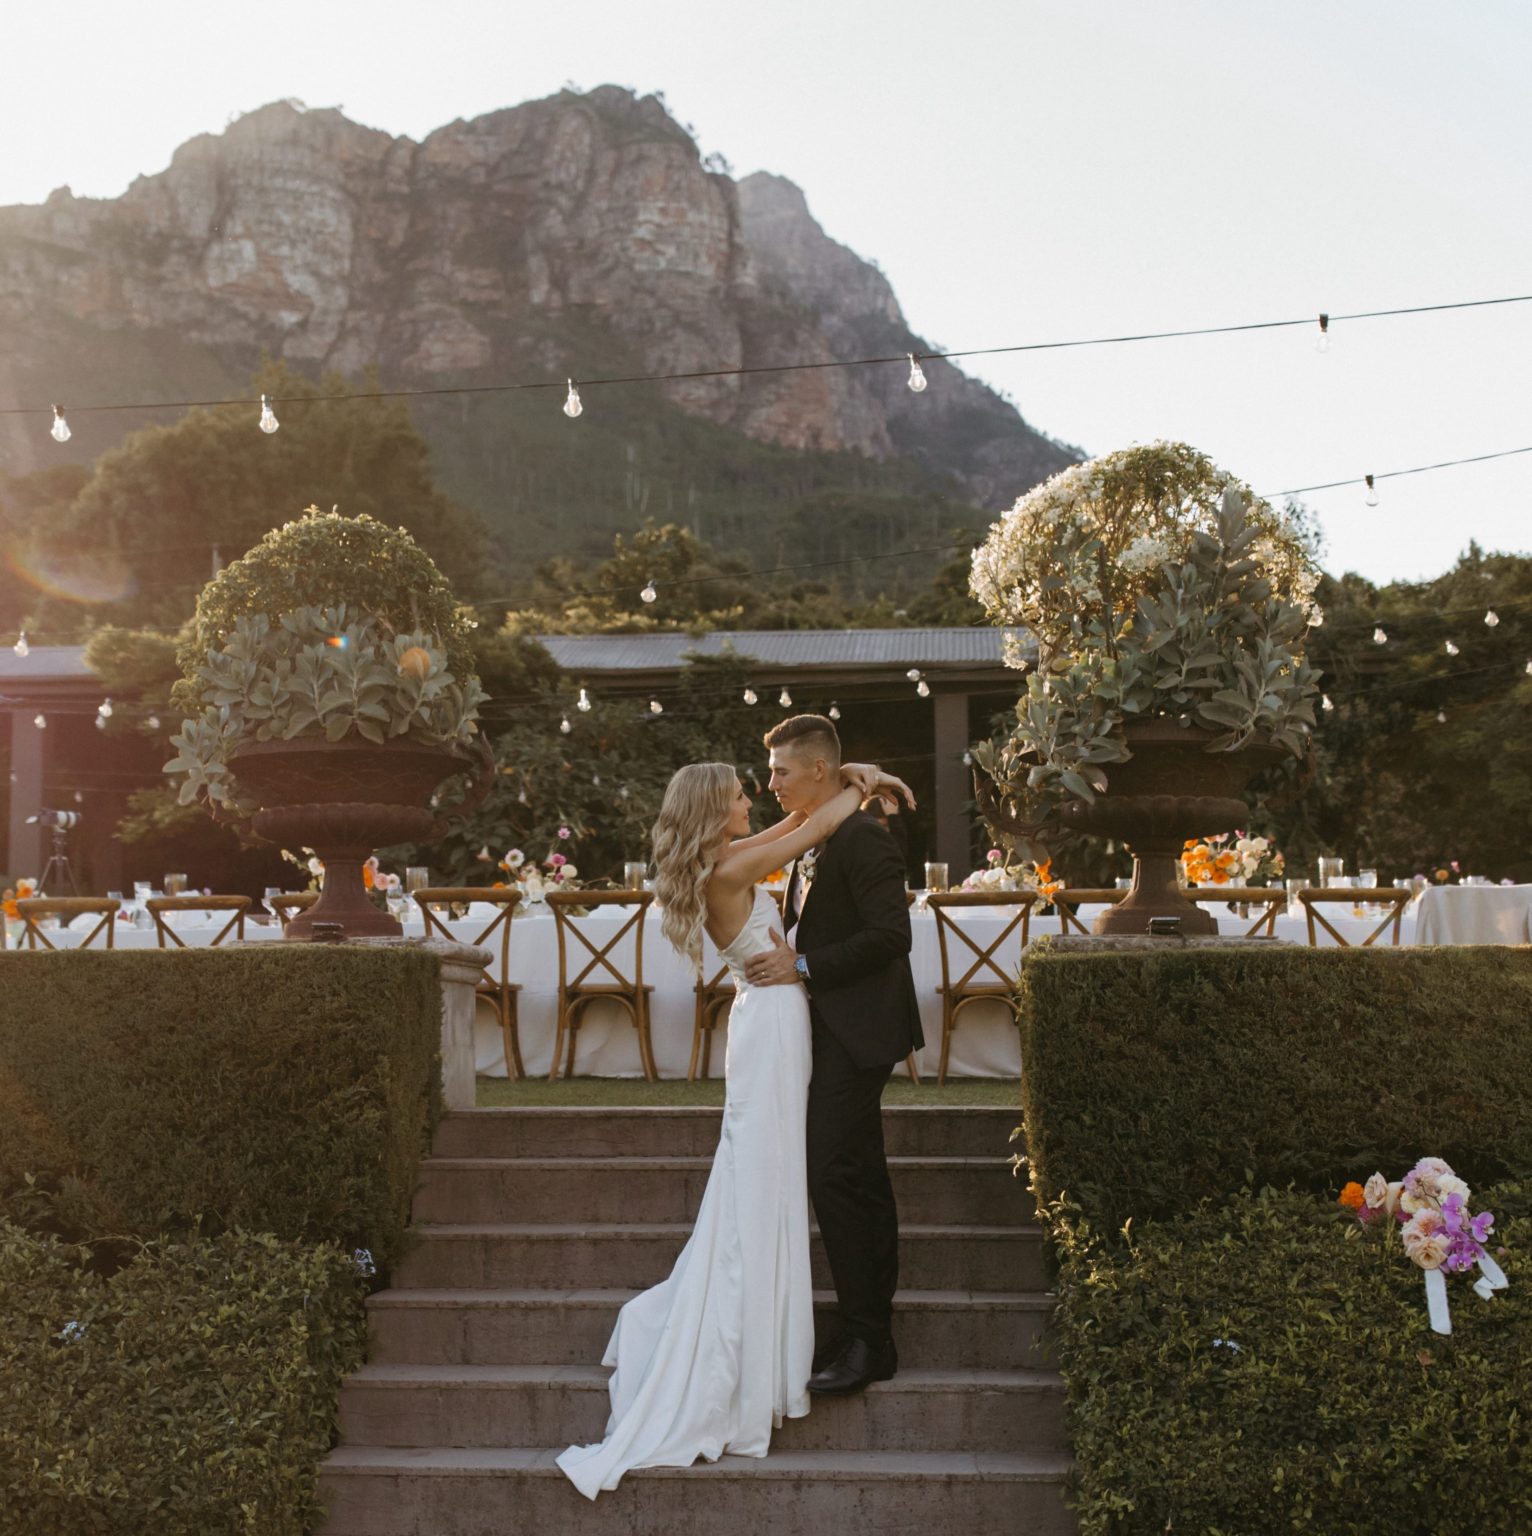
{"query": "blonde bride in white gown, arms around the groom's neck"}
pixel 717 1356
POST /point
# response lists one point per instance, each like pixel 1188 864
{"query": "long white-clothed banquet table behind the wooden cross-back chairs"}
pixel 984 1045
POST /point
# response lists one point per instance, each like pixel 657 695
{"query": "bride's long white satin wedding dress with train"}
pixel 717 1356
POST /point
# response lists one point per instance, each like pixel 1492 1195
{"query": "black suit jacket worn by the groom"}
pixel 855 933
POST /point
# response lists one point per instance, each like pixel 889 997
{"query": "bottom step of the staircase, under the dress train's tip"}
pixel 482 1492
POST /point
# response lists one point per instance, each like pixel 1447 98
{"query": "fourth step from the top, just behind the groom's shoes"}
pixel 935 1329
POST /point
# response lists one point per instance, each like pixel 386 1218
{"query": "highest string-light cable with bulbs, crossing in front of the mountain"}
pixel 574 406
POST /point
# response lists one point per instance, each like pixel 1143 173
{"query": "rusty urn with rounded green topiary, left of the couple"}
pixel 334 694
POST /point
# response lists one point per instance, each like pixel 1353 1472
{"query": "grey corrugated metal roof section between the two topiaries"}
pixel 872 649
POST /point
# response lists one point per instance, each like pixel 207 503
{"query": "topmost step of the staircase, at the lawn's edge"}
pixel 909 1131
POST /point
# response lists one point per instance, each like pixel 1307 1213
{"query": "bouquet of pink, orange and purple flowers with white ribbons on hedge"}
pixel 1430 1208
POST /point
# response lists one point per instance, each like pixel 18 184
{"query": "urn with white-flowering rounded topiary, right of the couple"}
pixel 1170 609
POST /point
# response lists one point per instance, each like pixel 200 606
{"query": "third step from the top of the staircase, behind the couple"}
pixel 638 1256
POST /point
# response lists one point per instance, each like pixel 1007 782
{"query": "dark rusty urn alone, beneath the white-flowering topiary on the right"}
pixel 1170 790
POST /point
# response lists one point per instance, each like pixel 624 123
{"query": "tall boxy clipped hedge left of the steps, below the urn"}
pixel 276 1088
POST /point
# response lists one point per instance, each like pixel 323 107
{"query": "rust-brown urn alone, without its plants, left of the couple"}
pixel 345 801
